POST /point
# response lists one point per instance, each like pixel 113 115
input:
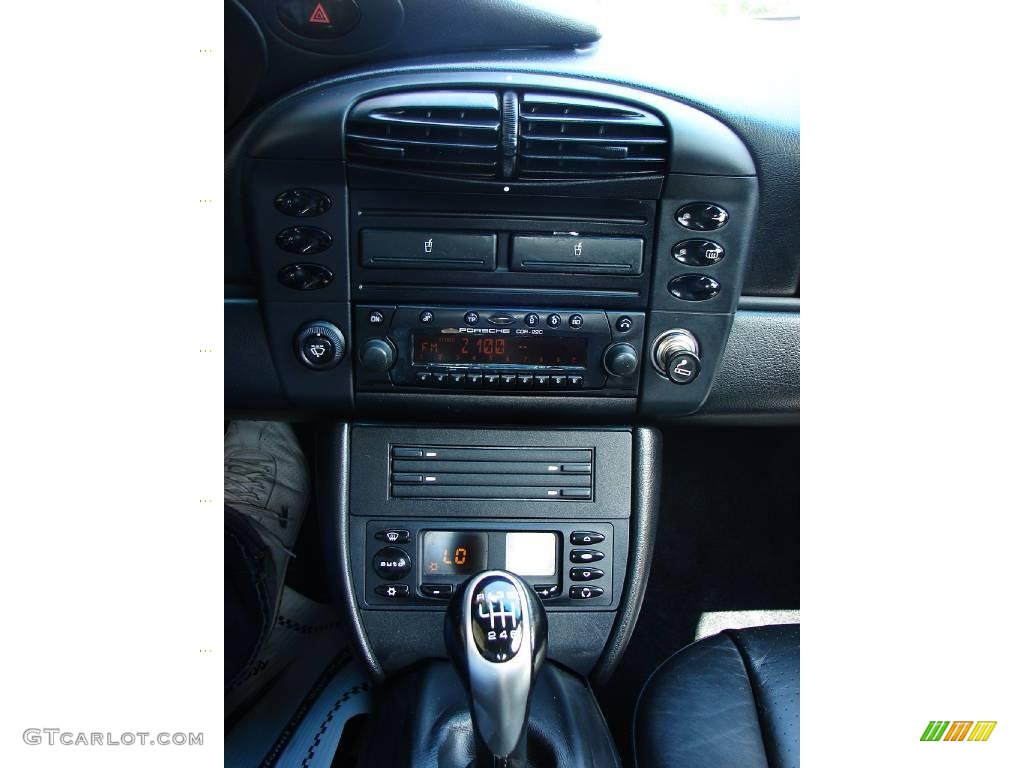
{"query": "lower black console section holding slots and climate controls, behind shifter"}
pixel 428 508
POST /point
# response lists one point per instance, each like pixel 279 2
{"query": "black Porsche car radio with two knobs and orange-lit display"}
pixel 496 351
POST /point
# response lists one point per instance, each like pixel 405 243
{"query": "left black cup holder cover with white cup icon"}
pixel 406 249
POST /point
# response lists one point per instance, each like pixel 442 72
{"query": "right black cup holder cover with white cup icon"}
pixel 578 255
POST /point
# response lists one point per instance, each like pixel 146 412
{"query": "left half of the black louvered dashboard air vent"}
pixel 445 134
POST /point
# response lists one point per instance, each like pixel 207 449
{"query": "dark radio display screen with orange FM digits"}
pixel 449 349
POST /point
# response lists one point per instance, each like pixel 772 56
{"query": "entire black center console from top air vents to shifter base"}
pixel 440 250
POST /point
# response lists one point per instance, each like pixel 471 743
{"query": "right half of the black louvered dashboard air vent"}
pixel 571 138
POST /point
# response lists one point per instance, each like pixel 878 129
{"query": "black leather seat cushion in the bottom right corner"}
pixel 731 700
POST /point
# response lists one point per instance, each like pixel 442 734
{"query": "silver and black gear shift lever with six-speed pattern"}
pixel 496 631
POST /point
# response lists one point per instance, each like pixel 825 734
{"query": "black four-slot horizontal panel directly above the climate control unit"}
pixel 452 473
